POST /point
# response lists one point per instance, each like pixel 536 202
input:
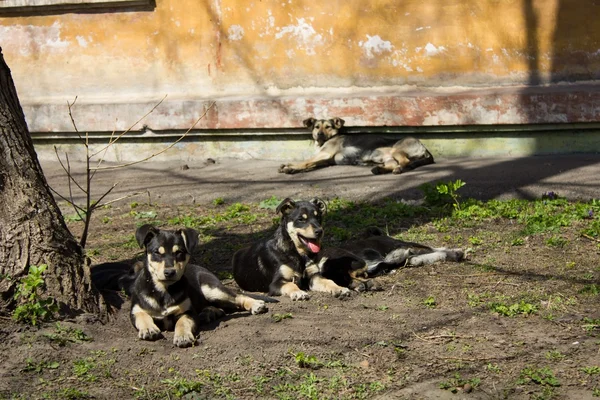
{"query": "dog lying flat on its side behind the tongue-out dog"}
pixel 375 254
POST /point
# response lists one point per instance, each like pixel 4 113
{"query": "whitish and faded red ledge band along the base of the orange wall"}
pixel 553 104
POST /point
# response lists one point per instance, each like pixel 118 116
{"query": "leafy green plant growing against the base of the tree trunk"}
pixel 32 308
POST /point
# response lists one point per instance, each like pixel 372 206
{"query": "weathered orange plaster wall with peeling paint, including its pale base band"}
pixel 270 63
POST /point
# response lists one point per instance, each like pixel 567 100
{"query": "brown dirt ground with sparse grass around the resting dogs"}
pixel 429 334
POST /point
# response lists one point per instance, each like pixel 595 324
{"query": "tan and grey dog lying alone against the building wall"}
pixel 335 148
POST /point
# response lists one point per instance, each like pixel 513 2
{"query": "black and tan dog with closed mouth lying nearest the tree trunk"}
pixel 167 291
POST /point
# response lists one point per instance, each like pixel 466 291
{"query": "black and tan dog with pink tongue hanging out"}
pixel 287 263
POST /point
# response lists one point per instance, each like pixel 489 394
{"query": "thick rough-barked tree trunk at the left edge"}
pixel 32 228
